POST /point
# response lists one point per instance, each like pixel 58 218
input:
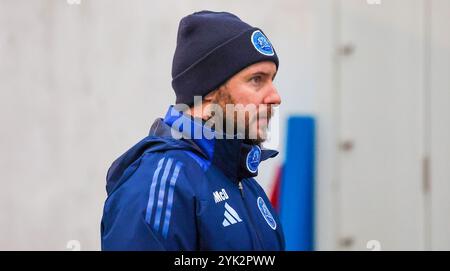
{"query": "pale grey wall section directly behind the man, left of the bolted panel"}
pixel 79 84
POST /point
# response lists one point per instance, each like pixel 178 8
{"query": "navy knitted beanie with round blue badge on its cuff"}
pixel 211 48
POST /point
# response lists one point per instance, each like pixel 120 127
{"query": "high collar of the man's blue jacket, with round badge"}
pixel 233 157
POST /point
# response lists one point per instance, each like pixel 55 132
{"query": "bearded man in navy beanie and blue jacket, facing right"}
pixel 189 184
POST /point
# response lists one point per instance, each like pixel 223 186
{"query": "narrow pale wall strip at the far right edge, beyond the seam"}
pixel 440 124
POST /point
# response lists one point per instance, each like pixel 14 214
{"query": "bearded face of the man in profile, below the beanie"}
pixel 247 99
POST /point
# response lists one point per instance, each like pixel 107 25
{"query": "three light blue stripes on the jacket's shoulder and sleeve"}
pixel 160 199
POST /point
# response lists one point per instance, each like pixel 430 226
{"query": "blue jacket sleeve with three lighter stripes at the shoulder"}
pixel 154 209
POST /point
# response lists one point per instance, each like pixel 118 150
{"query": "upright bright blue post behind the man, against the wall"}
pixel 297 184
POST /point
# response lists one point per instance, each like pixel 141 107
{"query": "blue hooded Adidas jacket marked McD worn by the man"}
pixel 167 193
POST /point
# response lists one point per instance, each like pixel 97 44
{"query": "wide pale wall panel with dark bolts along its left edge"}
pixel 381 94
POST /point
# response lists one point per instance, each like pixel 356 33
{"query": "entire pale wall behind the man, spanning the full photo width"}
pixel 81 81
